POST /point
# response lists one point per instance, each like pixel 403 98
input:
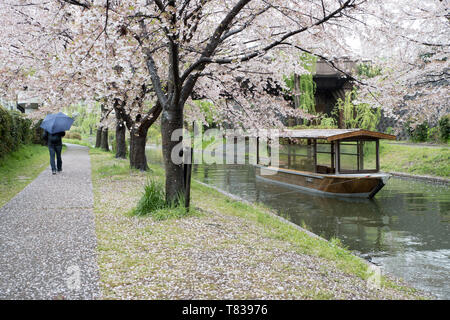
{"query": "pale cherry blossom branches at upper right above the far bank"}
pixel 412 52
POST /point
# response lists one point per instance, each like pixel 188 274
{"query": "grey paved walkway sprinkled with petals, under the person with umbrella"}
pixel 47 235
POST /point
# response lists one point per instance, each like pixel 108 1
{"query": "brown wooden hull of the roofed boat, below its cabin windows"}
pixel 358 185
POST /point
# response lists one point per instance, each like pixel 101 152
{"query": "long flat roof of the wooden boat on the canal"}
pixel 334 134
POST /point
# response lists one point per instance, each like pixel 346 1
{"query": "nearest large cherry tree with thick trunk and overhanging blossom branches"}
pixel 208 45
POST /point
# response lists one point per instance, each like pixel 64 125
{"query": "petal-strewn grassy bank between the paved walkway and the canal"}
pixel 225 249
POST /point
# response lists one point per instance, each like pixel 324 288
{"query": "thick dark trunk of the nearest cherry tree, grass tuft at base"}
pixel 170 121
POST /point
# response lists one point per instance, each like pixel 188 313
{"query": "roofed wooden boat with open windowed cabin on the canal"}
pixel 337 162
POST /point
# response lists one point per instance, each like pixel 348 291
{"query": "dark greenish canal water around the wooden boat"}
pixel 405 229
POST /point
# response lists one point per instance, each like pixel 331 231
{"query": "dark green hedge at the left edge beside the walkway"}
pixel 15 130
